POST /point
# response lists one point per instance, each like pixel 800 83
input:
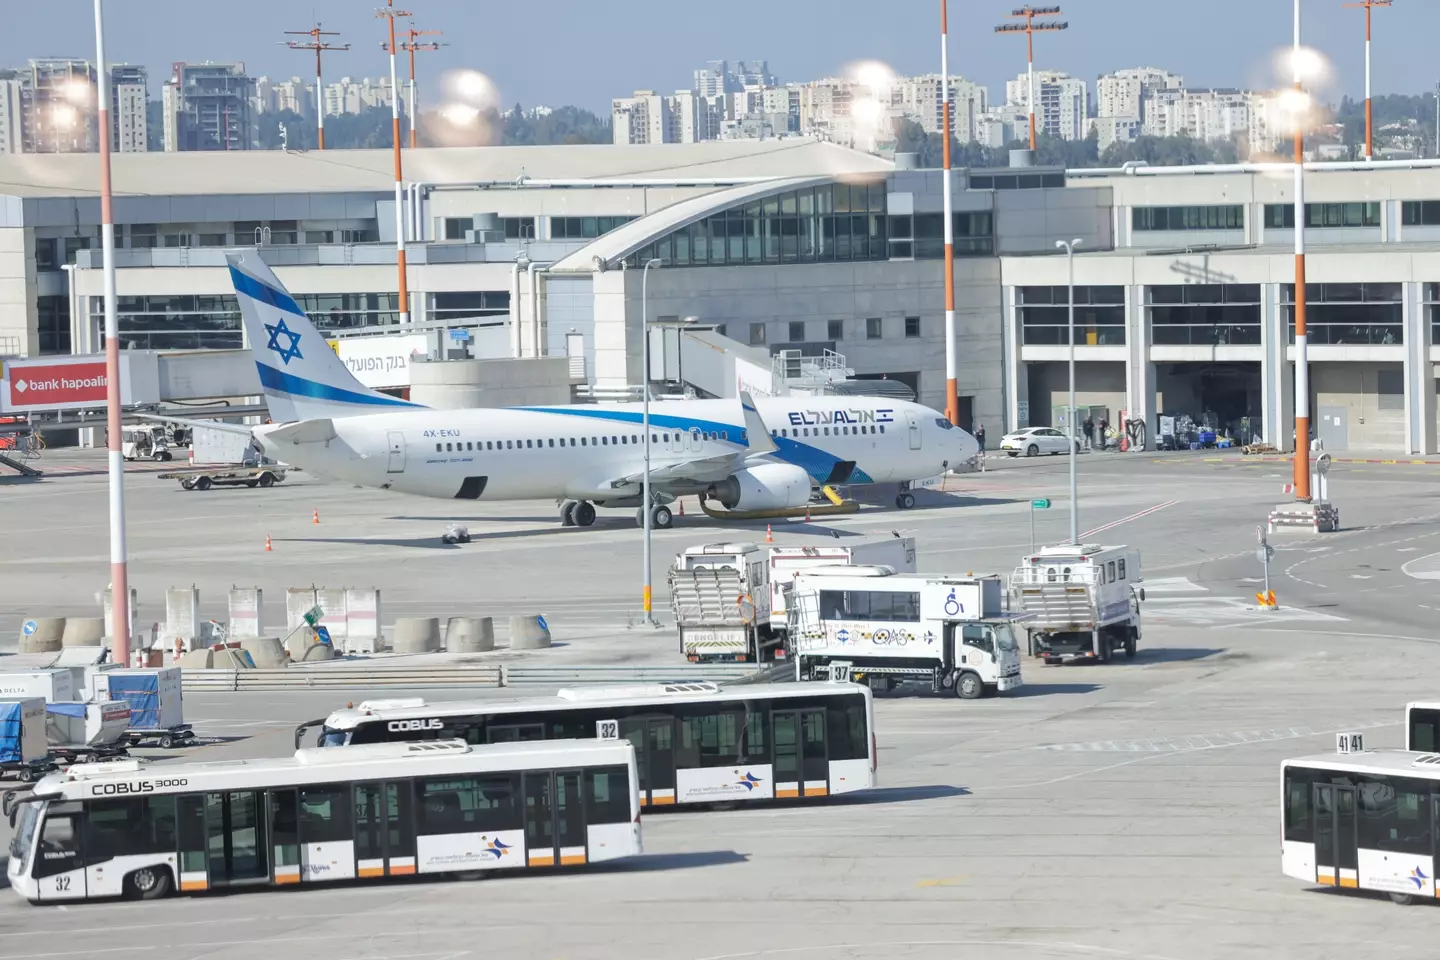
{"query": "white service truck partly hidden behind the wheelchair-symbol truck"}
pixel 729 599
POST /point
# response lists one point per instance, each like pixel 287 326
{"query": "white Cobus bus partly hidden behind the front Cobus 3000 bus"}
pixel 695 743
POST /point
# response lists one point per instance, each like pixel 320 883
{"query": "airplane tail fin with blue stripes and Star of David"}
pixel 300 373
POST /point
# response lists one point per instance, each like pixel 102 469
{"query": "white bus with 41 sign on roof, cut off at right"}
pixel 1363 820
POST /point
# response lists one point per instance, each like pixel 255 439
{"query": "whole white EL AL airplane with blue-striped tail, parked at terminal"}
pixel 760 456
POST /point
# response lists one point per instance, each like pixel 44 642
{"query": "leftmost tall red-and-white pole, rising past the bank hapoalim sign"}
pixel 119 569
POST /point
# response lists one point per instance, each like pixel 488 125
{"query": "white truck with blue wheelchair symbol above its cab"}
pixel 869 624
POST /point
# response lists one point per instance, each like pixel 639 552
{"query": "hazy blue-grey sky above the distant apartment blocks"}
pixel 585 51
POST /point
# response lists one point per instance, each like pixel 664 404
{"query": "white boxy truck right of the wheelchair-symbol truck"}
pixel 1082 602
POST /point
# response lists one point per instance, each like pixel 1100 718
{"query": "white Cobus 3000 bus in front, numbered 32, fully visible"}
pixel 132 830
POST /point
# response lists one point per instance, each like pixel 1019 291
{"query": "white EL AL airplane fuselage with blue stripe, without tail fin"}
pixel 587 453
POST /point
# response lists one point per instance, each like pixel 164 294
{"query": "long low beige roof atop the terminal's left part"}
pixel 274 172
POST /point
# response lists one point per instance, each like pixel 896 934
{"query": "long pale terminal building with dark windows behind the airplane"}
pixel 778 266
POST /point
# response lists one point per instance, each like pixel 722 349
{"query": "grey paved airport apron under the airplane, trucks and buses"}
pixel 1127 811
